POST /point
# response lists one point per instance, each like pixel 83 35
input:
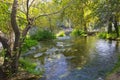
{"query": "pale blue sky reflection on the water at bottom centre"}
pixel 56 66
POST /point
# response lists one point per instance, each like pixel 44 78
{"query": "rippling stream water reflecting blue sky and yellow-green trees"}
pixel 77 59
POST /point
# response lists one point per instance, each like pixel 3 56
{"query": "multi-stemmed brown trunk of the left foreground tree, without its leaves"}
pixel 12 54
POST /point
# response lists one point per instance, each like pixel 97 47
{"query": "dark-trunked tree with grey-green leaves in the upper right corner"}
pixel 108 13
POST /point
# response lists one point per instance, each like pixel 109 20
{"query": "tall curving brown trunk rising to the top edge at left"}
pixel 15 58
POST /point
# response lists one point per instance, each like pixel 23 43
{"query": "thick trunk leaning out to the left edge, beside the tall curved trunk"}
pixel 6 67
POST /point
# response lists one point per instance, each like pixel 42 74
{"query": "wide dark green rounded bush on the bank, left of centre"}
pixel 43 35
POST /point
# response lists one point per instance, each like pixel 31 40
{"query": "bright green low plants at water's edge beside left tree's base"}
pixel 29 66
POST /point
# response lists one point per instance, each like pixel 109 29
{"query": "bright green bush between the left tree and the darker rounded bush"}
pixel 28 43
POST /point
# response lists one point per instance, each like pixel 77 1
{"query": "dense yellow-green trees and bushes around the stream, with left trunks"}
pixel 52 18
